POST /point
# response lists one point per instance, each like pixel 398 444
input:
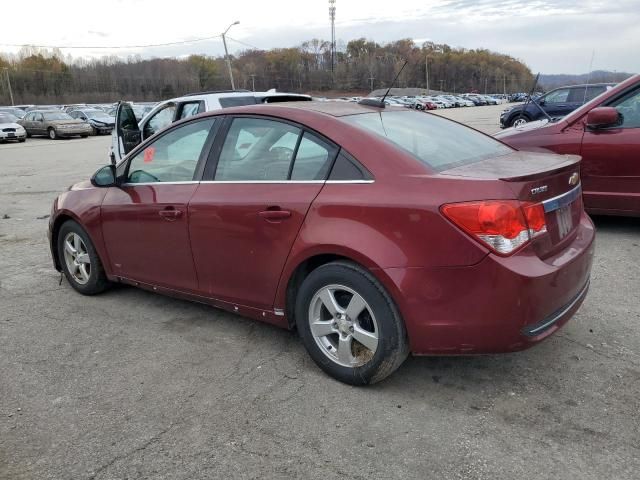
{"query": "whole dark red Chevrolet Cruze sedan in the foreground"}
pixel 375 232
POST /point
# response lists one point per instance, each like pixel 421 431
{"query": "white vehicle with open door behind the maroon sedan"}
pixel 129 133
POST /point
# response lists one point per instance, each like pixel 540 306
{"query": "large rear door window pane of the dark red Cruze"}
pixel 257 150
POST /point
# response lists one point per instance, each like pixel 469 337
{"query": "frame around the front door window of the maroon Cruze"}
pixel 122 170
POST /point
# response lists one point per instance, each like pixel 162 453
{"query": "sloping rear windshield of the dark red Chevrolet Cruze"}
pixel 436 142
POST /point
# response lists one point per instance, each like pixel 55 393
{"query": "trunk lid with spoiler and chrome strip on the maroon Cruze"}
pixel 538 178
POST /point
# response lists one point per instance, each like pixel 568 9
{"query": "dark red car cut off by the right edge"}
pixel 606 133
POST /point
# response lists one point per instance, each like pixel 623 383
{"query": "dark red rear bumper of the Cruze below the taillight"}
pixel 498 305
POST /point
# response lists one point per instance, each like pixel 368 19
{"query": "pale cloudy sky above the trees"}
pixel 550 36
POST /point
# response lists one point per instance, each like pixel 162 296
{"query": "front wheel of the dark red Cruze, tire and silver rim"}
pixel 88 280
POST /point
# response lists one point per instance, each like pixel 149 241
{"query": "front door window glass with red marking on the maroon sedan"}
pixel 173 157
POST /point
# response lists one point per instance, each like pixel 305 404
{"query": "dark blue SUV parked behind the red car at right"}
pixel 557 103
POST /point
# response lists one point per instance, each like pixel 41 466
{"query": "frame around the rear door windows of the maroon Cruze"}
pixel 214 155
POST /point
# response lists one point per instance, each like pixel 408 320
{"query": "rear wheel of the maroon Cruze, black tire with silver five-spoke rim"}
pixel 349 285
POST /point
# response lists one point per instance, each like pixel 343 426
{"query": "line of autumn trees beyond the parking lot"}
pixel 44 76
